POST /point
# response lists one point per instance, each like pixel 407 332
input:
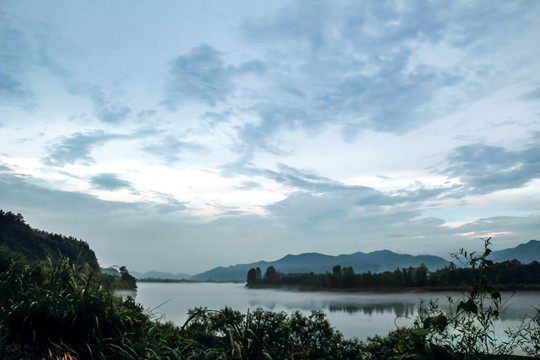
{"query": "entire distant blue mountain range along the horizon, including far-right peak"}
pixel 377 261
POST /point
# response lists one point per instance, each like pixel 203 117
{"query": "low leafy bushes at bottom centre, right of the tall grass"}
pixel 228 334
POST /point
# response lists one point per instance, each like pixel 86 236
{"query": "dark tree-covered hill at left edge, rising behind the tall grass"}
pixel 38 245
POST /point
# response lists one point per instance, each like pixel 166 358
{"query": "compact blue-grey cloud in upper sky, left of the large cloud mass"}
pixel 202 75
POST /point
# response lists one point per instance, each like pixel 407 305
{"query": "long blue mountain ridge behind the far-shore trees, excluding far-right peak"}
pixel 377 261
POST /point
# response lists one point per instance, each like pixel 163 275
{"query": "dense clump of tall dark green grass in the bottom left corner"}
pixel 60 311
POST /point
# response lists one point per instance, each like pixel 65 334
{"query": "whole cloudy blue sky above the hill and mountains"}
pixel 183 135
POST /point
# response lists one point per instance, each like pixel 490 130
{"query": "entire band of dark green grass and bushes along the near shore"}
pixel 64 312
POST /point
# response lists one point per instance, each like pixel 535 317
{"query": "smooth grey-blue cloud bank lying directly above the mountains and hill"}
pixel 119 231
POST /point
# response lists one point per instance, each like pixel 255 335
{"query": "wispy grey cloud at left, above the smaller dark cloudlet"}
pixel 76 148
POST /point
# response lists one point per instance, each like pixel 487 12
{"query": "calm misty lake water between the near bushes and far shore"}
pixel 354 314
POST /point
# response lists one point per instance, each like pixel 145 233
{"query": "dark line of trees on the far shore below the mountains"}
pixel 507 275
